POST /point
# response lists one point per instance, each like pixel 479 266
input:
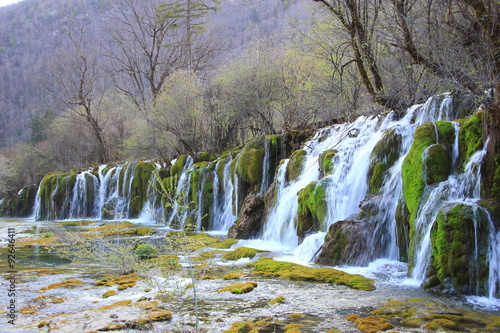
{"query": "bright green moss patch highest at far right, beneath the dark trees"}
pixel 470 137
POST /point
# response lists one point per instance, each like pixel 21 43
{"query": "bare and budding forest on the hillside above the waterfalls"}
pixel 93 82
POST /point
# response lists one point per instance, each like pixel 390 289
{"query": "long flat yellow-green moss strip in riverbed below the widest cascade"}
pixel 287 270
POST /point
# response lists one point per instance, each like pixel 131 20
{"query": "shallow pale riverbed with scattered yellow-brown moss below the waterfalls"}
pixel 157 290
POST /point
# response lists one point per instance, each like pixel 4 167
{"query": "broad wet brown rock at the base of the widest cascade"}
pixel 346 244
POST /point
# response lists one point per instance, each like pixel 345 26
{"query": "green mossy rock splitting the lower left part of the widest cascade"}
pixel 312 208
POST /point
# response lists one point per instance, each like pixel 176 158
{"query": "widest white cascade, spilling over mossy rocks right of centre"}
pixel 346 186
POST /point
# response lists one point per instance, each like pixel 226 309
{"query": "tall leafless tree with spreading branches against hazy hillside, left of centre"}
pixel 150 41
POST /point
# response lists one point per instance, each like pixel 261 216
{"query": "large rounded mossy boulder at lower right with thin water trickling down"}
pixel 456 233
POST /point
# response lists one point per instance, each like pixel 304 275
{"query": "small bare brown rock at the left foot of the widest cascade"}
pixel 250 220
